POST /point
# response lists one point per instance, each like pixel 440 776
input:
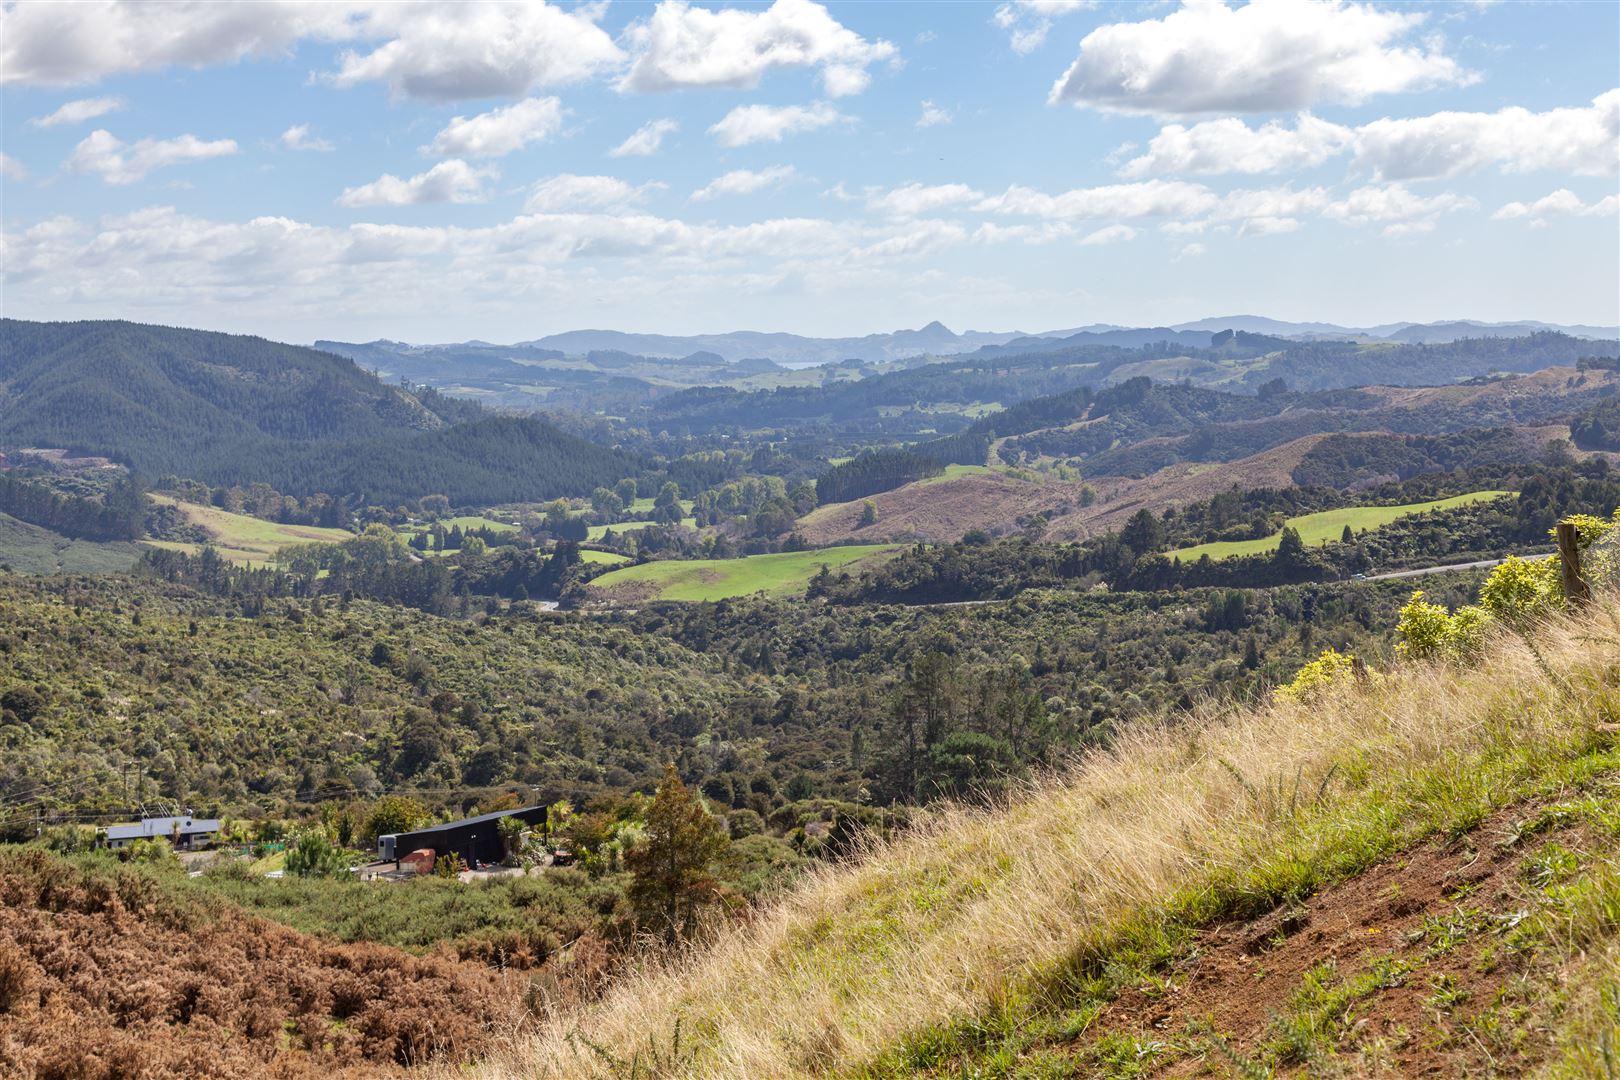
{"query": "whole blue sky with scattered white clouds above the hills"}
pixel 440 172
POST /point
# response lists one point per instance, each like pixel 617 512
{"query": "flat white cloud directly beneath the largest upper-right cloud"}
pixel 1230 147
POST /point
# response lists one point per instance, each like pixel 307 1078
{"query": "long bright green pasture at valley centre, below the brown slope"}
pixel 783 574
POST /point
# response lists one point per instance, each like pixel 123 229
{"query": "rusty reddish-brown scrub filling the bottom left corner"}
pixel 104 977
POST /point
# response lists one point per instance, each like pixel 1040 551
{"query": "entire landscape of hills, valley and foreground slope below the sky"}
pixel 855 629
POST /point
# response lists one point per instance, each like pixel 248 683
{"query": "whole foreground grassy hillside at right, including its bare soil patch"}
pixel 1049 937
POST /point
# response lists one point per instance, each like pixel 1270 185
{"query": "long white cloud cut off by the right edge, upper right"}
pixel 1584 140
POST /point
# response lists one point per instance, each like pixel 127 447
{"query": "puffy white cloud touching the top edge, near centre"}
pixel 683 48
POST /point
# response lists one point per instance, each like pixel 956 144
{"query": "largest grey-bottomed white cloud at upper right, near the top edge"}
pixel 1268 56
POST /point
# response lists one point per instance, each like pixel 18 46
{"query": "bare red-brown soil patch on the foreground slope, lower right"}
pixel 1433 917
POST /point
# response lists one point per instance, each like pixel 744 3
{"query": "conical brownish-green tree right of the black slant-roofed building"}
pixel 673 867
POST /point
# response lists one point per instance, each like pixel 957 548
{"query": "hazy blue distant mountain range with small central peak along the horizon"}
pixel 793 351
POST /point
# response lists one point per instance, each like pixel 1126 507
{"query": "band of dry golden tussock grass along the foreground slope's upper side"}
pixel 942 943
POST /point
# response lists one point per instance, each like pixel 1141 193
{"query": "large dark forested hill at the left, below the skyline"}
pixel 232 410
